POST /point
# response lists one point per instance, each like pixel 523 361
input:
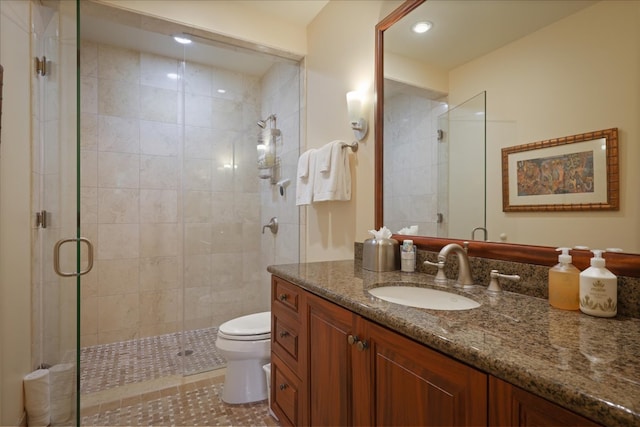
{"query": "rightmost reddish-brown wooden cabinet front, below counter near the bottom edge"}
pixel 512 406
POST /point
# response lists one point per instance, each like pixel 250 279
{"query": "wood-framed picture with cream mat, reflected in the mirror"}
pixel 572 173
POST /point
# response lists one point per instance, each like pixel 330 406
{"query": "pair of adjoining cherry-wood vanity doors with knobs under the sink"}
pixel 361 373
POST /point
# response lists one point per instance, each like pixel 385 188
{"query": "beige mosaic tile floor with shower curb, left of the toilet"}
pixel 140 383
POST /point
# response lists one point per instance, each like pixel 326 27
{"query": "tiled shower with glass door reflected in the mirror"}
pixel 424 196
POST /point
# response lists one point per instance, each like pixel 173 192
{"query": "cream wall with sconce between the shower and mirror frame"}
pixel 341 58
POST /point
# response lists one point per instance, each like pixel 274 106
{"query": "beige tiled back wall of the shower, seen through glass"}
pixel 134 143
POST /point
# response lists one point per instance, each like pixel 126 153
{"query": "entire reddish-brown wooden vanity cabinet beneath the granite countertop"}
pixel 332 367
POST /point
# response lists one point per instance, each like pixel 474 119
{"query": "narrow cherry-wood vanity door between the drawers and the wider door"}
pixel 330 363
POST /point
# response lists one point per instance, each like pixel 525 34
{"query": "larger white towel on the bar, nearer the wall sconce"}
pixel 336 183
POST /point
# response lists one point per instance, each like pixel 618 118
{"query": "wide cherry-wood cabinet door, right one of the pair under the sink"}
pixel 414 385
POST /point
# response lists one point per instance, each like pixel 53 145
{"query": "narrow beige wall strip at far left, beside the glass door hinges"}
pixel 15 255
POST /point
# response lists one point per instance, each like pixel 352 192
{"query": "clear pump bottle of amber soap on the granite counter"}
pixel 564 283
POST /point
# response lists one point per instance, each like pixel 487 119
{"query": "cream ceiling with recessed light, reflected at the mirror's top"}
pixel 464 29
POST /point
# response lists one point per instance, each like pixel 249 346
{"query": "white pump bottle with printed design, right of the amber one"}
pixel 598 288
